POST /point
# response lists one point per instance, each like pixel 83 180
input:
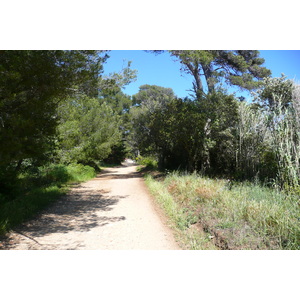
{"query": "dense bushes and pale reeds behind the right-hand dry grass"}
pixel 220 135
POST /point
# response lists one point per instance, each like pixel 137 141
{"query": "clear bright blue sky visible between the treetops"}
pixel 162 70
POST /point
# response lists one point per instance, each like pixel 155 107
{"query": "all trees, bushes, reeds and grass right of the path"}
pixel 236 163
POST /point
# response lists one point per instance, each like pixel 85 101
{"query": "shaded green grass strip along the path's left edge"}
pixel 36 190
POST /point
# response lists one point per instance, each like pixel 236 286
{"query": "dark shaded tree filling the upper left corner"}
pixel 32 83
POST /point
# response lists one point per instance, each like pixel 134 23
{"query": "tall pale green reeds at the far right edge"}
pixel 268 134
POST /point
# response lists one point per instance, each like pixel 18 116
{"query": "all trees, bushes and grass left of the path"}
pixel 60 120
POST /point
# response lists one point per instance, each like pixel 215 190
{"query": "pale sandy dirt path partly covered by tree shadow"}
pixel 113 211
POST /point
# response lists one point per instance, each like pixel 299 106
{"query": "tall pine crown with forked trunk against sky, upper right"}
pixel 242 68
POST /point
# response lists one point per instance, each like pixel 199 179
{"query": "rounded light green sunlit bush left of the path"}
pixel 87 130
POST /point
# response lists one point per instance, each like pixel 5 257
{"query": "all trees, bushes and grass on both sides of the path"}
pixel 233 165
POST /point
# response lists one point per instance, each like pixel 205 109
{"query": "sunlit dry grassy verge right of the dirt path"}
pixel 233 216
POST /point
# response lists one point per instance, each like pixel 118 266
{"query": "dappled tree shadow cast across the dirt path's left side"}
pixel 76 211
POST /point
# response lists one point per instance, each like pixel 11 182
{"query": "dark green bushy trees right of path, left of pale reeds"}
pixel 189 134
